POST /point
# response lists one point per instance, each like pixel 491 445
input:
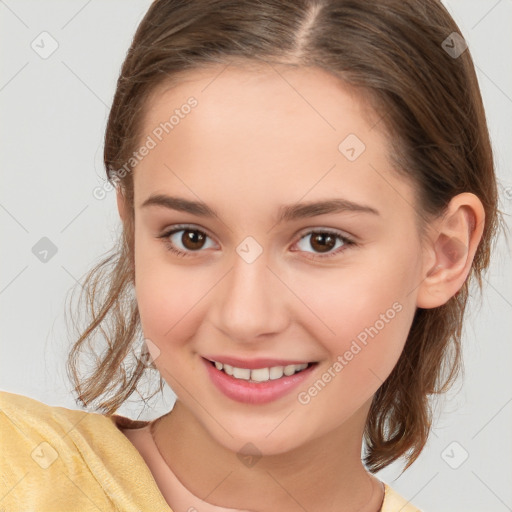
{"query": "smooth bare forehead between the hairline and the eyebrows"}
pixel 267 130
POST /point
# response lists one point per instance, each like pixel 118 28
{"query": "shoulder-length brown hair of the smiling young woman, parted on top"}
pixel 428 101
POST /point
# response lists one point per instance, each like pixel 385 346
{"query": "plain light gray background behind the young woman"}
pixel 54 112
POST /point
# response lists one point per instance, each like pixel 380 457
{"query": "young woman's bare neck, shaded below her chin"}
pixel 325 474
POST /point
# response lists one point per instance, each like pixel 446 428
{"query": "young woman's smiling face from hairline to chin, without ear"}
pixel 266 280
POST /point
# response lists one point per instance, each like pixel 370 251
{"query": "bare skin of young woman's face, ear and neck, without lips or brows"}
pixel 260 138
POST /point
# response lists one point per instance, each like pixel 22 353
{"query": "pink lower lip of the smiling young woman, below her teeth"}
pixel 255 392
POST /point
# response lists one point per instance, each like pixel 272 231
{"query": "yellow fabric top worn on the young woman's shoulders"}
pixel 54 459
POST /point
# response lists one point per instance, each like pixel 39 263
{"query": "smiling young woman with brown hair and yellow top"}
pixel 306 190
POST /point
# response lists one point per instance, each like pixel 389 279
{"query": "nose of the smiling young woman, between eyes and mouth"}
pixel 252 301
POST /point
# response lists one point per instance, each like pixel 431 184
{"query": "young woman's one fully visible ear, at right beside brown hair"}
pixel 449 252
